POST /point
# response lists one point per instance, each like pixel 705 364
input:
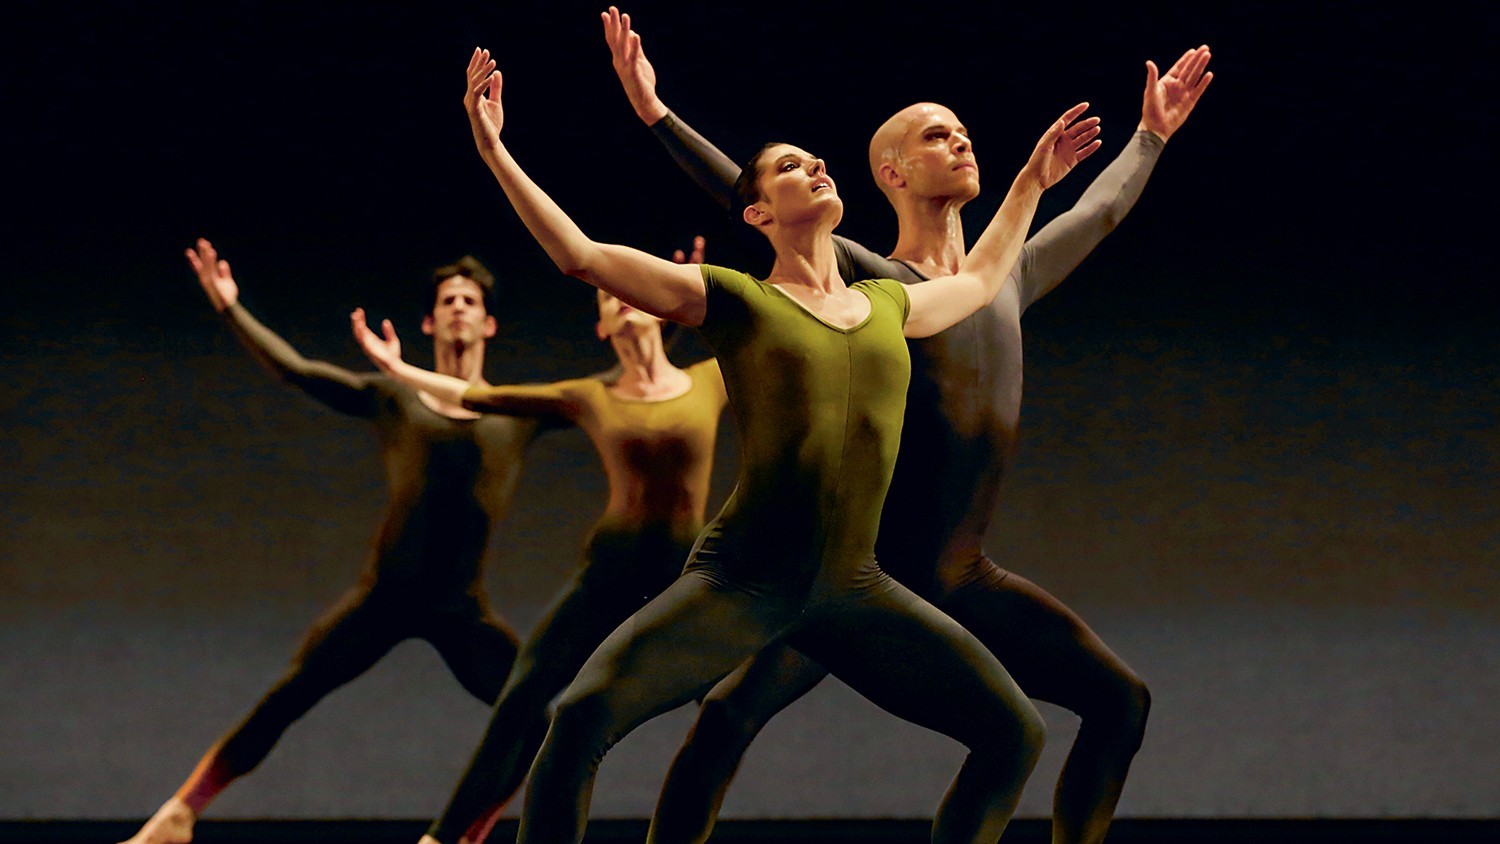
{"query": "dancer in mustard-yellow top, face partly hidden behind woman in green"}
pixel 655 429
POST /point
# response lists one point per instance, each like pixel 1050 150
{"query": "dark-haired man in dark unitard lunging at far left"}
pixel 451 473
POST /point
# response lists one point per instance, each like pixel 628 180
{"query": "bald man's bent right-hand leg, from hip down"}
pixel 1055 657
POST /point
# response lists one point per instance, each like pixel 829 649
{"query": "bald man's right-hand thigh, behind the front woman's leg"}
pixel 1046 647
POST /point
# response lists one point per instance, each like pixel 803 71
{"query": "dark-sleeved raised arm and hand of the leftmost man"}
pixel 334 386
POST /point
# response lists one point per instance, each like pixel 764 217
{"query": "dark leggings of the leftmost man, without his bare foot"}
pixel 478 647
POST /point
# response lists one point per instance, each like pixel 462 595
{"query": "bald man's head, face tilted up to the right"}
pixel 935 158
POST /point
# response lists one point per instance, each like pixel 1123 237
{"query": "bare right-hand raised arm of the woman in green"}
pixel 941 304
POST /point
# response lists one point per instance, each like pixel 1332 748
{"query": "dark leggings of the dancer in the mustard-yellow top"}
pixel 622 572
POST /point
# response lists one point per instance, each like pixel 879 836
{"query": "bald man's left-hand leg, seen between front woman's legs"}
pixel 731 717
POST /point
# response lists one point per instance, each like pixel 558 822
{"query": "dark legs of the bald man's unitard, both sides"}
pixel 1046 647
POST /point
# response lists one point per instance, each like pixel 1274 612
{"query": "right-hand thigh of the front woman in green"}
pixel 914 662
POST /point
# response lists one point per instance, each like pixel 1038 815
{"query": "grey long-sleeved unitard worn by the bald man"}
pixel 958 443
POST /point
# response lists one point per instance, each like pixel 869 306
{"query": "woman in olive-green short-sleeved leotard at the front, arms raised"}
pixel 817 376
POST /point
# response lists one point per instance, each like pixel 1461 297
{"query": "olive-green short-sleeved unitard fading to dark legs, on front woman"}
pixel 793 555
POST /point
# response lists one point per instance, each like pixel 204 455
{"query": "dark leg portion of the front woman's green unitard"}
pixel 880 638
